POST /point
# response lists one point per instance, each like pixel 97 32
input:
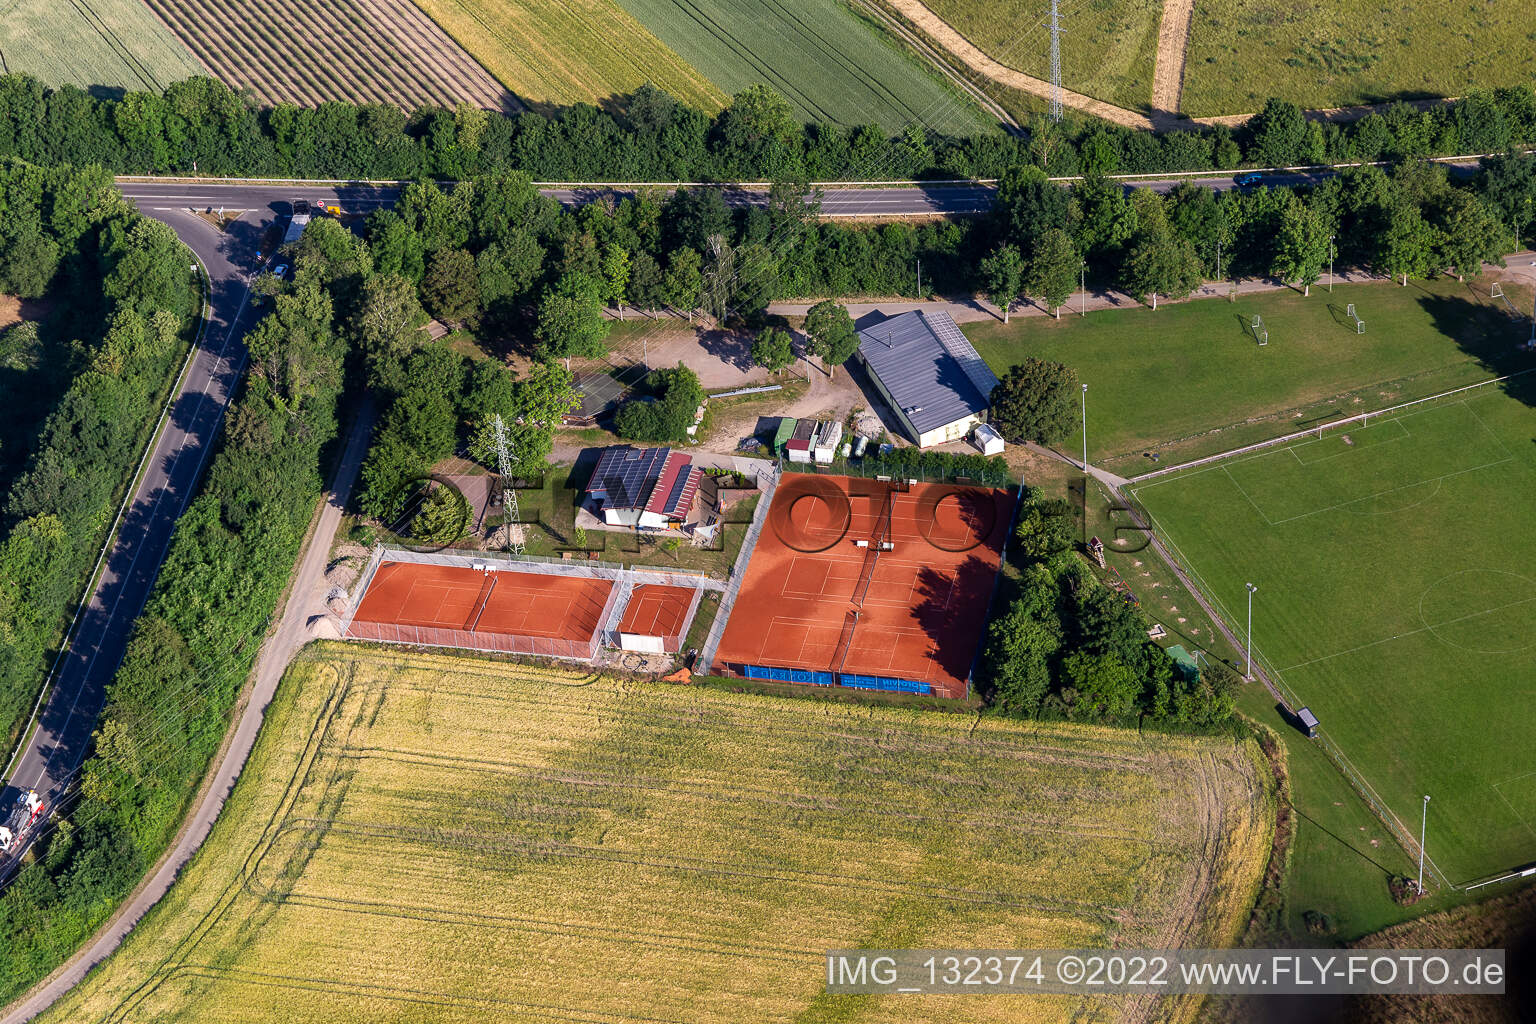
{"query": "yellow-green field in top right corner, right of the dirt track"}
pixel 1351 51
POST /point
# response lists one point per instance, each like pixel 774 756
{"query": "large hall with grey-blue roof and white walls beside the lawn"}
pixel 929 374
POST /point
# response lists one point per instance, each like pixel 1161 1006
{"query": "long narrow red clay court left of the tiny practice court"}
pixel 449 606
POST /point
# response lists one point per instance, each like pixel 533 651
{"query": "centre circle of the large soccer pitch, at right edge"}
pixel 1485 612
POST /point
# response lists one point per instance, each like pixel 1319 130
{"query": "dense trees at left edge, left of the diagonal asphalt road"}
pixel 82 392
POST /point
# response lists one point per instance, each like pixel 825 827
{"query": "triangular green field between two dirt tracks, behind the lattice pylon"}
pixel 1108 50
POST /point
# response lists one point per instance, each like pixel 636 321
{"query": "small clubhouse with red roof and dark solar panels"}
pixel 650 489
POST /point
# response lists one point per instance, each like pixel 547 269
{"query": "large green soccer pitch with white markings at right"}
pixel 1397 598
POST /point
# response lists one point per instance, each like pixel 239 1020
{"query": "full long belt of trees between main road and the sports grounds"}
pixel 520 271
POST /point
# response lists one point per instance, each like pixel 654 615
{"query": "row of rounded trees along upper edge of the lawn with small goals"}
pixel 1414 219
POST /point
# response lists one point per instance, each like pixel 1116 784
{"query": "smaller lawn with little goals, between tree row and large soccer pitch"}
pixel 1190 380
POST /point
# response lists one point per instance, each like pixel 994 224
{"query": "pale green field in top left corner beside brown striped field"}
pixel 116 44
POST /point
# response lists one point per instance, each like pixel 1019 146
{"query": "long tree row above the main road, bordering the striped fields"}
pixel 200 127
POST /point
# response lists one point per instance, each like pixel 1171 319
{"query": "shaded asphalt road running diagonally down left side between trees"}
pixel 56 750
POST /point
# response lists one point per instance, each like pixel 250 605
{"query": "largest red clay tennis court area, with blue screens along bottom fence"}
pixel 869 584
